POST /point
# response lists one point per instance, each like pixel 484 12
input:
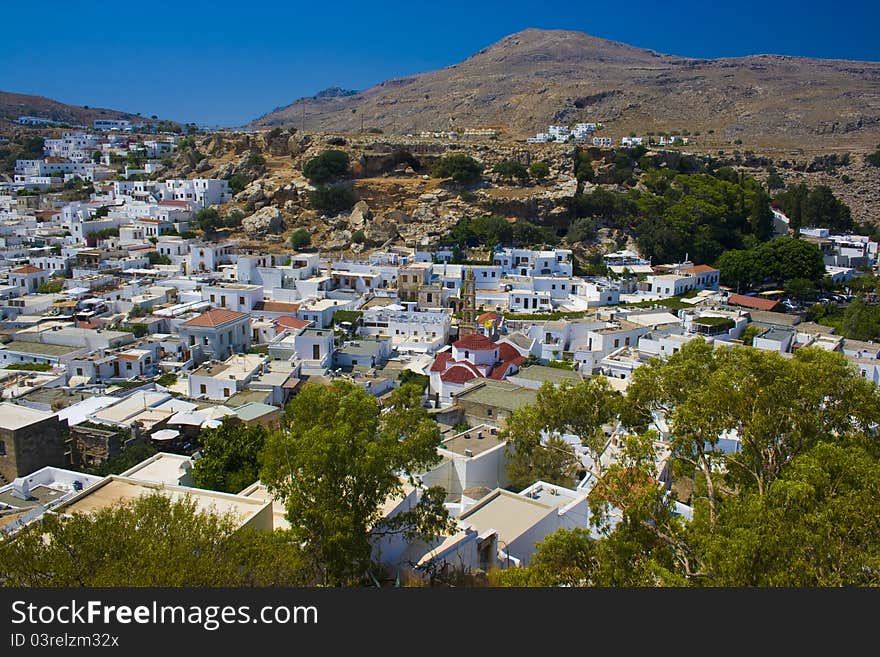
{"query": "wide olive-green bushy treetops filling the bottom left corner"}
pixel 149 541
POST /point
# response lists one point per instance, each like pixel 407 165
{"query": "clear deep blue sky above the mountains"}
pixel 225 62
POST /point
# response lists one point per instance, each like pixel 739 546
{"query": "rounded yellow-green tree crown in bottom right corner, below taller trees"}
pixel 818 524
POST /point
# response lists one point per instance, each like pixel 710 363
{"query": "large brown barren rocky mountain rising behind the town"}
pixel 537 77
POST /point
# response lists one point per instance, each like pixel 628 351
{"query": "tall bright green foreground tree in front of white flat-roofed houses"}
pixel 339 459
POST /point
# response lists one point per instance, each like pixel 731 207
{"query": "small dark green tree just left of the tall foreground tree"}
pixel 230 457
